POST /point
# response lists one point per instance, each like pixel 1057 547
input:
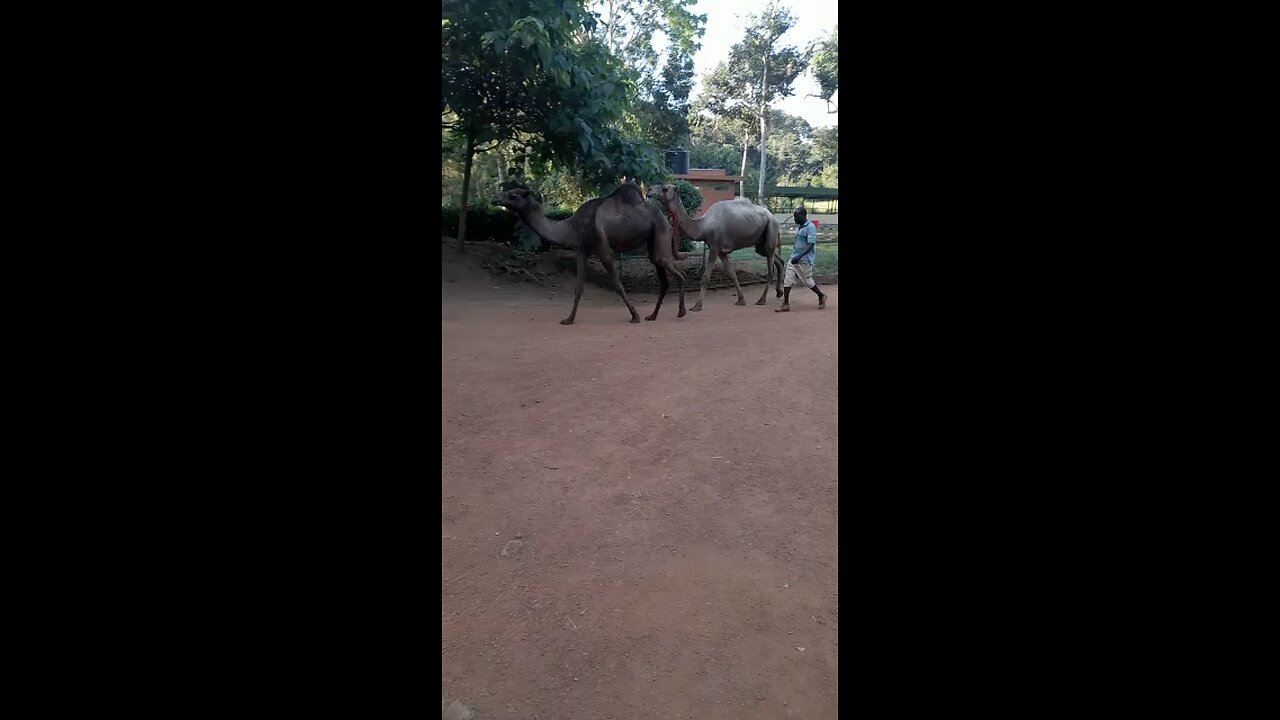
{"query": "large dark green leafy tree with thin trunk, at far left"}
pixel 532 71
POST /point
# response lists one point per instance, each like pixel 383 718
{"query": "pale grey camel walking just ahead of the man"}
pixel 729 226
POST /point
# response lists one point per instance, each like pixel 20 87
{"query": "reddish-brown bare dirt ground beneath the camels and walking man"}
pixel 666 498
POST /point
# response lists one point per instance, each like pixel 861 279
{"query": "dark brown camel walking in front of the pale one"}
pixel 620 222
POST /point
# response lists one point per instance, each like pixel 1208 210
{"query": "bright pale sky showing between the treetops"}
pixel 725 24
